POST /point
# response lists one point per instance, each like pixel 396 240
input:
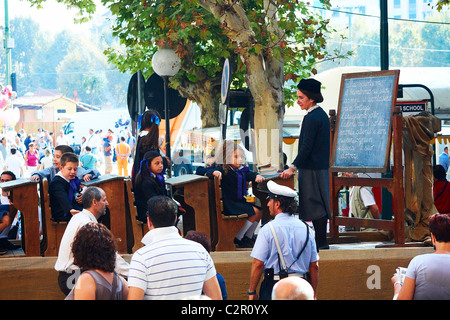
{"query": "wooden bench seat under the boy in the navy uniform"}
pixel 52 231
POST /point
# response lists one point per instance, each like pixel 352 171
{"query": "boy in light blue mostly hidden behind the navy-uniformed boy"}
pixel 50 173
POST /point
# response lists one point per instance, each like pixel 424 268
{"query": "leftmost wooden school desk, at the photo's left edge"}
pixel 25 199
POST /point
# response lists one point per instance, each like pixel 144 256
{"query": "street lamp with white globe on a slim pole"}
pixel 166 63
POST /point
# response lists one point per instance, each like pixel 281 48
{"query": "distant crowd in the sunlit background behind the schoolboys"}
pixel 24 153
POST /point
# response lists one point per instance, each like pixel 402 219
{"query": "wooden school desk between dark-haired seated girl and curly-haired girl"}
pixel 196 195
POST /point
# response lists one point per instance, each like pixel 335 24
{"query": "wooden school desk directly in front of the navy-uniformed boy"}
pixel 113 185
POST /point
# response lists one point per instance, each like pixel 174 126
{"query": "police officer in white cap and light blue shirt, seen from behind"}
pixel 294 238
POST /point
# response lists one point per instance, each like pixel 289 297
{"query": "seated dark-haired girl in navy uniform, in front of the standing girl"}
pixel 149 182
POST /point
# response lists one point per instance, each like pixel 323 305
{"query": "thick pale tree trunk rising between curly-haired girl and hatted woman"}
pixel 264 77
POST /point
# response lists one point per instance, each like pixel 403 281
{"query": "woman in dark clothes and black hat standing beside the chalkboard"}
pixel 312 161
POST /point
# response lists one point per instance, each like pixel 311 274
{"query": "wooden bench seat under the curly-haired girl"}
pixel 227 226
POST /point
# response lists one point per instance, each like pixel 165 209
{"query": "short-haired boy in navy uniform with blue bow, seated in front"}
pixel 65 189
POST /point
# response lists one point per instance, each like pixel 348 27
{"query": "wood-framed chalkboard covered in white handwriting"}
pixel 363 134
